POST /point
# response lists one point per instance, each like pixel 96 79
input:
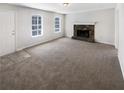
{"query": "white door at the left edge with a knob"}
pixel 7 34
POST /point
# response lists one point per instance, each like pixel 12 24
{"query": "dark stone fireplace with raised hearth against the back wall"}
pixel 84 32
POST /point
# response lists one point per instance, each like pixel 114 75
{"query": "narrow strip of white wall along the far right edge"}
pixel 121 36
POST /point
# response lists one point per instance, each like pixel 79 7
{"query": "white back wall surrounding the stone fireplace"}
pixel 104 29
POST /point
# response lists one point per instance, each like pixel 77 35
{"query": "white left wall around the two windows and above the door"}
pixel 23 25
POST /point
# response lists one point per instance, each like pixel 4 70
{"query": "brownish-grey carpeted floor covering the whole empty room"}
pixel 62 64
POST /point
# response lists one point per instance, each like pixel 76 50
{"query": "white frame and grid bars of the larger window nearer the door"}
pixel 37 25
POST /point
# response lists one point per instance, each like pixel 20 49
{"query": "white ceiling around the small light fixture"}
pixel 72 7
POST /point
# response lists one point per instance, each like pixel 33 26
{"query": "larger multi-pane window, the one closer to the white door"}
pixel 37 26
